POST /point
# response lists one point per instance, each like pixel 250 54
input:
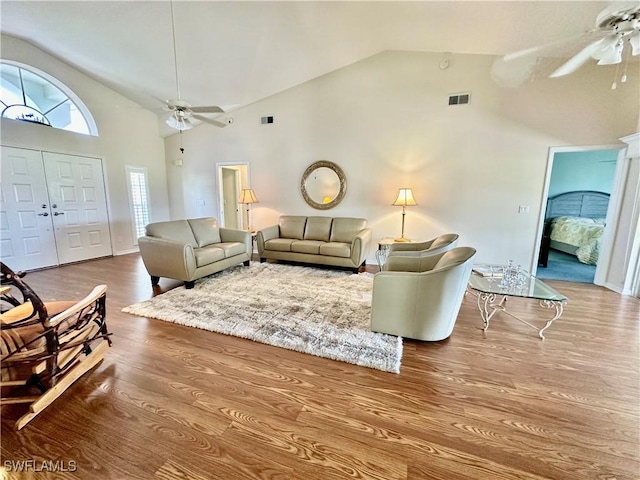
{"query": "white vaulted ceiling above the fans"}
pixel 236 53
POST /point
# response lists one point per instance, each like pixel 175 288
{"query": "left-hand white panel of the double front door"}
pixel 26 231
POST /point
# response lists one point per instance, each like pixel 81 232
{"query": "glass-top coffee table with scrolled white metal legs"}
pixel 492 292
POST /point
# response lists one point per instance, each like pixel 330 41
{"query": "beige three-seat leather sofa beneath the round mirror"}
pixel 339 241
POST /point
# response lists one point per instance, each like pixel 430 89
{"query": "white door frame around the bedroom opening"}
pixel 611 220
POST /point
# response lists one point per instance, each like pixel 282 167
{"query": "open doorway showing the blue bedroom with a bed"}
pixel 573 233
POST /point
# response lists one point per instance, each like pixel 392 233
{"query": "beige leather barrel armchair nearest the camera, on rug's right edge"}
pixel 420 297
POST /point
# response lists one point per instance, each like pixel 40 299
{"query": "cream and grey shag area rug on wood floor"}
pixel 316 311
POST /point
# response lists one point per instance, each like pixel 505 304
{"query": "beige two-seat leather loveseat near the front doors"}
pixel 191 249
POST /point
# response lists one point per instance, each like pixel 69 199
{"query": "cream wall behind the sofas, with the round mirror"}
pixel 386 122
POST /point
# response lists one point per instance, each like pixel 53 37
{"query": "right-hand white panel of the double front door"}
pixel 78 206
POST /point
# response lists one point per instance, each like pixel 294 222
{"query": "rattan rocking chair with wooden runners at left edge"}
pixel 46 346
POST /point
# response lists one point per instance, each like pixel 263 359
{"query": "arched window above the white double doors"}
pixel 30 95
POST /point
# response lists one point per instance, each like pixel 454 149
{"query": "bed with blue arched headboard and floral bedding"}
pixel 574 224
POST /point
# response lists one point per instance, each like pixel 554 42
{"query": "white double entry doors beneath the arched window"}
pixel 53 209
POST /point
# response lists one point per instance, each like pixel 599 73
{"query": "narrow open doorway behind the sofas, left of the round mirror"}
pixel 232 178
